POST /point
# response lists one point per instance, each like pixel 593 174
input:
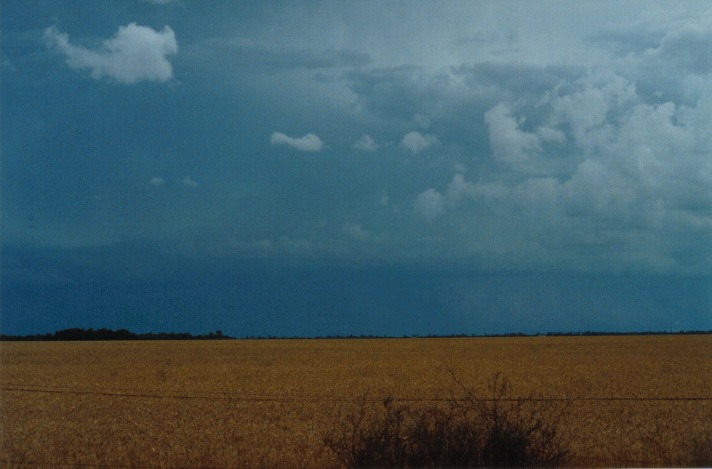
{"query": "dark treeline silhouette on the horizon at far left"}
pixel 74 334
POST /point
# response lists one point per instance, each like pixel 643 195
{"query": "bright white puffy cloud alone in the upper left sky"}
pixel 136 53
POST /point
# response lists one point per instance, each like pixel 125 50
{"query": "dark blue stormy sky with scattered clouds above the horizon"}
pixel 356 168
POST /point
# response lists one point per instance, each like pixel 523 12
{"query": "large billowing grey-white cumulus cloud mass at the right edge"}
pixel 626 185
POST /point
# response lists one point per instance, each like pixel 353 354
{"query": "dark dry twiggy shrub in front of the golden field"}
pixel 462 431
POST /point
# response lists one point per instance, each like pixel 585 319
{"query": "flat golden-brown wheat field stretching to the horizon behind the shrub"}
pixel 634 400
